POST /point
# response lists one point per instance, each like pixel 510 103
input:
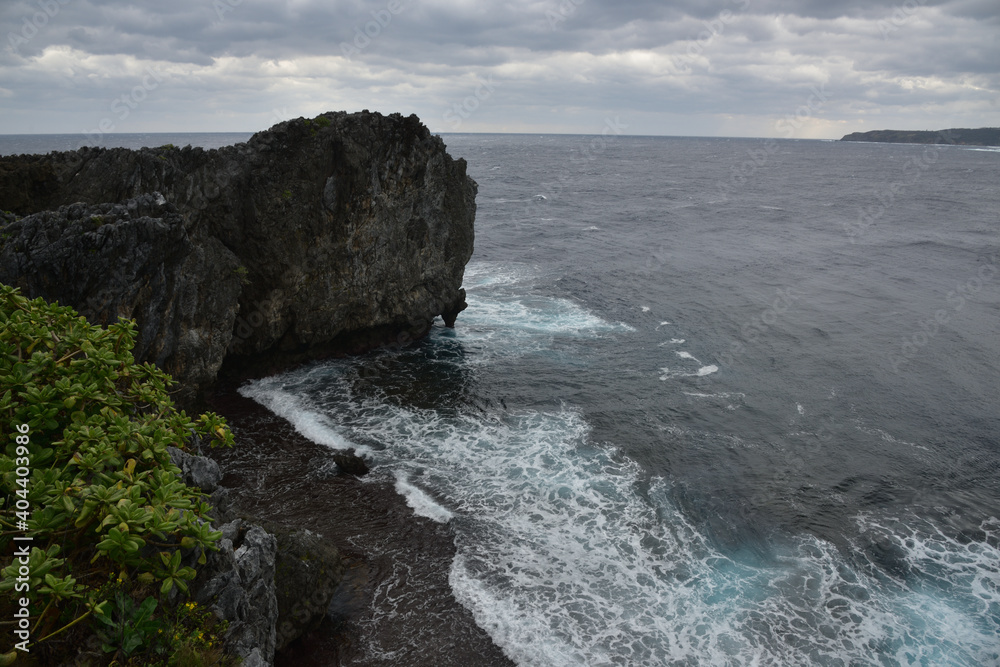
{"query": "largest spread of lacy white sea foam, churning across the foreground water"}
pixel 565 560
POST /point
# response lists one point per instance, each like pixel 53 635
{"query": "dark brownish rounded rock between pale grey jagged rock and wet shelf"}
pixel 307 573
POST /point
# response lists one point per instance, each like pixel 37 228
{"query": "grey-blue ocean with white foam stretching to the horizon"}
pixel 713 402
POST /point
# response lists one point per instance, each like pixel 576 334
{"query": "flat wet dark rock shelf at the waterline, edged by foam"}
pixel 394 604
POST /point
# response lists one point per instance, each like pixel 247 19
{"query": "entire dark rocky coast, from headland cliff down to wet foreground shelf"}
pixel 318 237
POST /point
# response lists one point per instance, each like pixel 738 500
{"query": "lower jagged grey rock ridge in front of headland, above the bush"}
pixel 132 260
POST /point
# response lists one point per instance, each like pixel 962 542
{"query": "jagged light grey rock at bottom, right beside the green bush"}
pixel 238 585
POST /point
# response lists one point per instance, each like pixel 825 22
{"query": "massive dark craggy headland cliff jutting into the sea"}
pixel 326 235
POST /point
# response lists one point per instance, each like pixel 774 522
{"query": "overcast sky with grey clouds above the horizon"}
pixel 737 68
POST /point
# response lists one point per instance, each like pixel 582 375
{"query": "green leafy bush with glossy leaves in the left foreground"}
pixel 103 497
